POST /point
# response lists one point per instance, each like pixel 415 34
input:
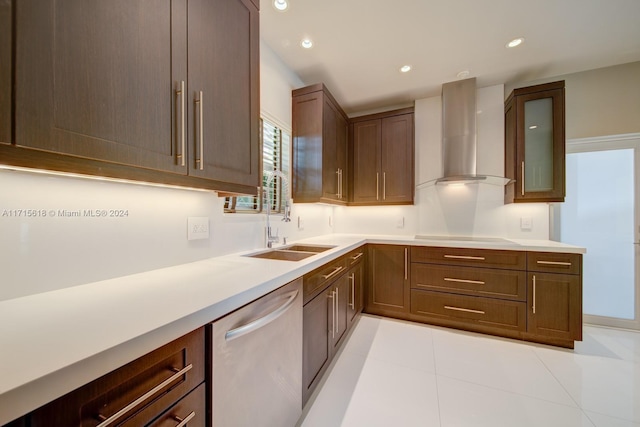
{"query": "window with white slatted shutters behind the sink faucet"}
pixel 276 156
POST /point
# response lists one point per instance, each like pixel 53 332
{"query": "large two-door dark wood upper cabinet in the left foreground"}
pixel 168 86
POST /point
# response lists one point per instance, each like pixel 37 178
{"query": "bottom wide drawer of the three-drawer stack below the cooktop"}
pixel 468 310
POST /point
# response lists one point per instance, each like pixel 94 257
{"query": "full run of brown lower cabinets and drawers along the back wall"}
pixel 534 296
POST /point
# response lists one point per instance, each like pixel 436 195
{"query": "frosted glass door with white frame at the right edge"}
pixel 600 213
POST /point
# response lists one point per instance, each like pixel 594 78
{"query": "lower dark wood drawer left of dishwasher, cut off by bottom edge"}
pixel 191 408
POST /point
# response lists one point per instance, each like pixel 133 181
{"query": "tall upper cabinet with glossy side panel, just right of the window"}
pixel 319 147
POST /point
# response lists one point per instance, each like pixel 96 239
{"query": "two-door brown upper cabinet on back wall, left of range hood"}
pixel 382 165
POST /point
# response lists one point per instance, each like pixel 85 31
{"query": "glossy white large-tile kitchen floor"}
pixel 395 374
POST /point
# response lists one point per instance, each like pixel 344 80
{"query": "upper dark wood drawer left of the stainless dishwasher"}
pixel 165 375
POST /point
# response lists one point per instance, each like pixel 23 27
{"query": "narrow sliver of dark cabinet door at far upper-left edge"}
pixel 5 71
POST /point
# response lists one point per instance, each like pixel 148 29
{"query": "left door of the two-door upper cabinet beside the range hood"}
pixel 366 162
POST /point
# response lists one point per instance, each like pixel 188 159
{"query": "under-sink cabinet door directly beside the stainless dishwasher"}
pixel 315 341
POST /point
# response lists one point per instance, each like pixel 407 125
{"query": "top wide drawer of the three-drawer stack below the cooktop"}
pixel 489 258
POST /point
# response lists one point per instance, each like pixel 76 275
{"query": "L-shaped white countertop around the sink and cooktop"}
pixel 54 342
